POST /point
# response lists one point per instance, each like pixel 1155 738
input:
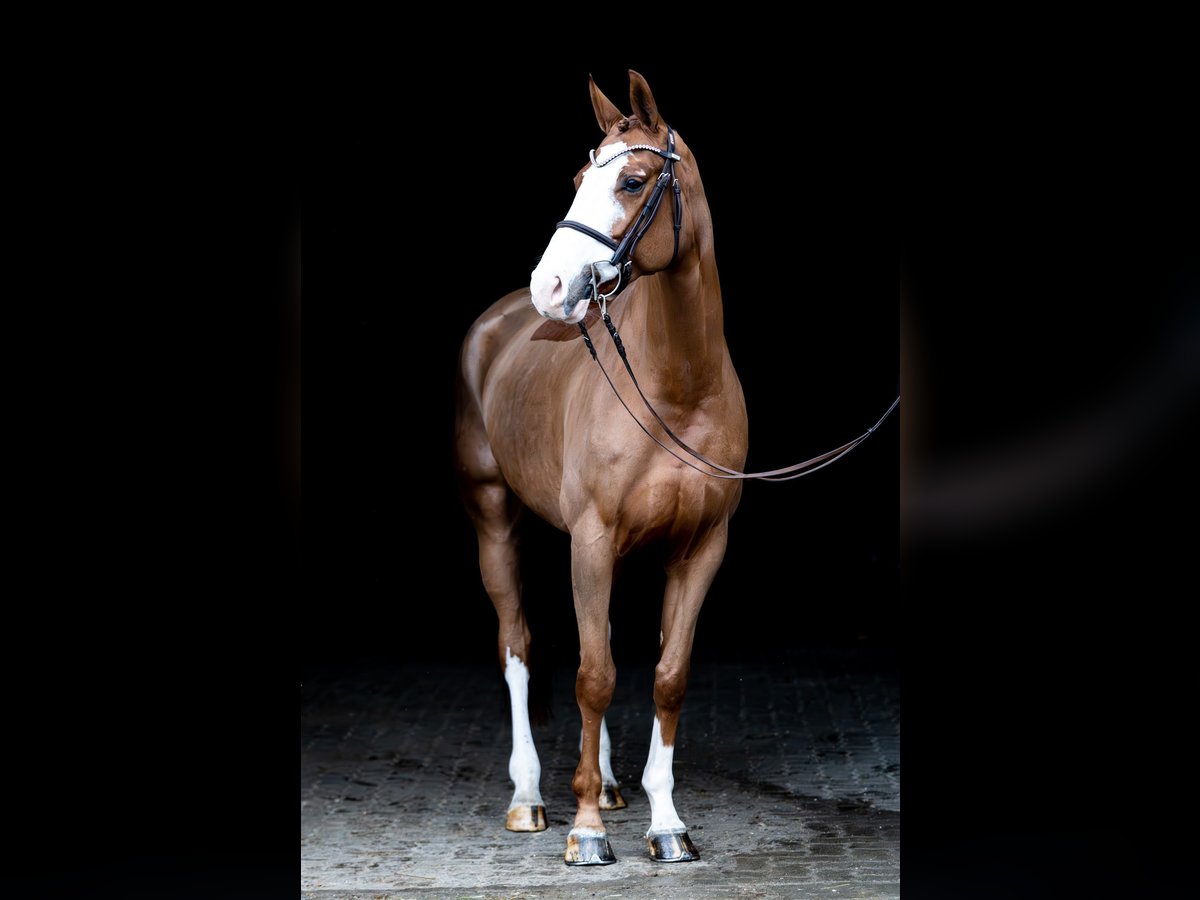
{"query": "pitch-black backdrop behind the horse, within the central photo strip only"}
pixel 437 200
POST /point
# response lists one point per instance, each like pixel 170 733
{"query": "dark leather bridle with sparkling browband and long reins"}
pixel 623 261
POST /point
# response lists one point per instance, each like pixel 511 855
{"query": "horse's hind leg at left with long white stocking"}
pixel 495 511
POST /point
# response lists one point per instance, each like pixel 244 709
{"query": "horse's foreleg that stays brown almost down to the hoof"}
pixel 592 560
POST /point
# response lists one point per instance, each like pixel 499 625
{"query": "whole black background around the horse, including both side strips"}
pixel 1007 218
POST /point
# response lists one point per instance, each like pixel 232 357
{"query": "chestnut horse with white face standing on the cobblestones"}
pixel 538 429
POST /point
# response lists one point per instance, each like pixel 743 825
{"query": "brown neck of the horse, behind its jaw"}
pixel 676 331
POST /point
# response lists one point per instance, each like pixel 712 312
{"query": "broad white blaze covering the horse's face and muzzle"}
pixel 569 253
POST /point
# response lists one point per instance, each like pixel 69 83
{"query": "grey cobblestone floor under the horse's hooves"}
pixel 788 777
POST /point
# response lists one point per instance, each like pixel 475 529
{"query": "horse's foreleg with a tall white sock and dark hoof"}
pixel 688 583
